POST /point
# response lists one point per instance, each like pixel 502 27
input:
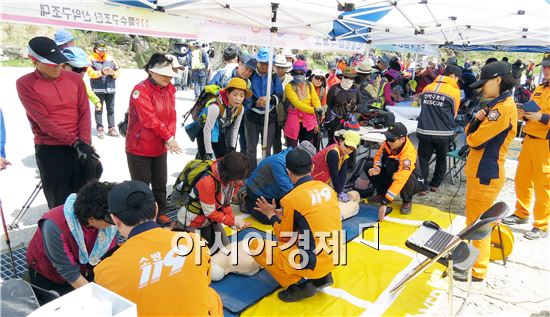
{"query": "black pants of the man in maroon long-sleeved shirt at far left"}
pixel 61 172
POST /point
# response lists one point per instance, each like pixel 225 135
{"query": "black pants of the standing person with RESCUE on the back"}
pixel 426 147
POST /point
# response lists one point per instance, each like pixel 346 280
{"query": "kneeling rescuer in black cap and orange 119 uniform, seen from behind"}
pixel 310 208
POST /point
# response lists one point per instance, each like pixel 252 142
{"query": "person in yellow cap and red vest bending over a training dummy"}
pixel 330 165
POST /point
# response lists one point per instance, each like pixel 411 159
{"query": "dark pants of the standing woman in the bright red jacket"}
pixel 150 170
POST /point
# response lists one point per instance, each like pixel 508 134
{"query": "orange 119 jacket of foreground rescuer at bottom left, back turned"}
pixel 148 270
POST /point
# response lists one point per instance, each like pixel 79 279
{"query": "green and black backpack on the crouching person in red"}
pixel 187 179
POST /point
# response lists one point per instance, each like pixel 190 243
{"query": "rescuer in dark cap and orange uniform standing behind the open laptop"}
pixel 488 137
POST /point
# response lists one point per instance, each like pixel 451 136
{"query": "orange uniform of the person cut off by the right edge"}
pixel 533 171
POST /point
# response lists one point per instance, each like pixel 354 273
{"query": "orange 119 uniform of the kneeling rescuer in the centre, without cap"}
pixel 311 210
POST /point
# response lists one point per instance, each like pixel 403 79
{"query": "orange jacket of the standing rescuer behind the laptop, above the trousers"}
pixel 489 143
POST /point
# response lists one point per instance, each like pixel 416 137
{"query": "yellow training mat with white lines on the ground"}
pixel 361 287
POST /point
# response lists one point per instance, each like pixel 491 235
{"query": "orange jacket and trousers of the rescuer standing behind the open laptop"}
pixel 485 167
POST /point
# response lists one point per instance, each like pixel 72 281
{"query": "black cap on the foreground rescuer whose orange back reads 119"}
pixel 119 197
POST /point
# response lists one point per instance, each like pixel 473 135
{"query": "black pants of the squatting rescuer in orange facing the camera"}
pixel 383 181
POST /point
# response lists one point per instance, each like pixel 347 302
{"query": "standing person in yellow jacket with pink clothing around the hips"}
pixel 302 104
